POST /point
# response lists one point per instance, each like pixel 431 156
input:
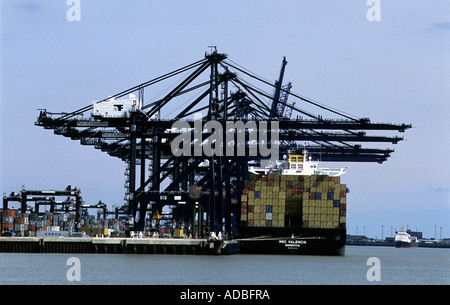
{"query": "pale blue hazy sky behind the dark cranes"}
pixel 393 70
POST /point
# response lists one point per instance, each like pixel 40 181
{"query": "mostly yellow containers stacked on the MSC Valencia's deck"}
pixel 280 201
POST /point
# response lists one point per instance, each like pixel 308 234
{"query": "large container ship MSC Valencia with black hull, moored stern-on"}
pixel 296 207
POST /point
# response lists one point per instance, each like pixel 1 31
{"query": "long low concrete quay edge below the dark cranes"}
pixel 117 245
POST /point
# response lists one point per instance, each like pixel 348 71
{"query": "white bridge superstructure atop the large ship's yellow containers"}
pixel 298 164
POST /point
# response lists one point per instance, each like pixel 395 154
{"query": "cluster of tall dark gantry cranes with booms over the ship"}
pixel 141 132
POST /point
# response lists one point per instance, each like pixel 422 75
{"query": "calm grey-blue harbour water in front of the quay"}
pixel 397 266
